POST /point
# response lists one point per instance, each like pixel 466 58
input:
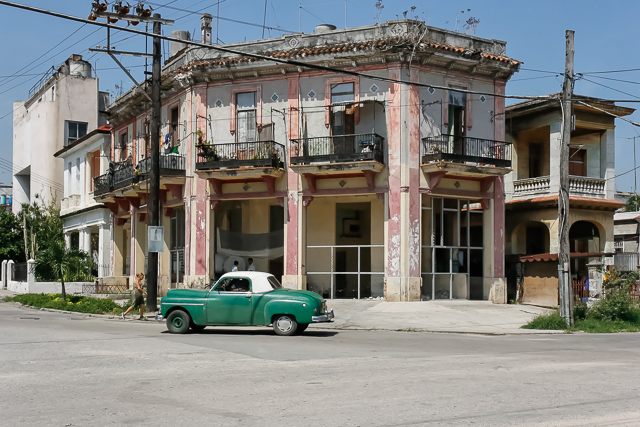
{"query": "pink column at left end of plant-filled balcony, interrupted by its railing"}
pixel 201 188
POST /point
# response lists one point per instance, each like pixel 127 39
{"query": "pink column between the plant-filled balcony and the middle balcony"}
pixel 293 202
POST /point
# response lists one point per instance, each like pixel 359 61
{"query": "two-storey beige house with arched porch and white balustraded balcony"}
pixel 532 189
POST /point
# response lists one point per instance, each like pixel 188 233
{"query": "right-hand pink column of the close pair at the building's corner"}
pixel 415 201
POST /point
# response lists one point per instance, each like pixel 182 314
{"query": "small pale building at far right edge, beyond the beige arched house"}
pixel 627 239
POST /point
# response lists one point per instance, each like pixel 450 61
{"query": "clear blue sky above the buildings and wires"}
pixel 606 33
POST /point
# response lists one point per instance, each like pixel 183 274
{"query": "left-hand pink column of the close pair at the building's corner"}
pixel 393 200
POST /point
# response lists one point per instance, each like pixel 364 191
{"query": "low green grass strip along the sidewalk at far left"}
pixel 74 303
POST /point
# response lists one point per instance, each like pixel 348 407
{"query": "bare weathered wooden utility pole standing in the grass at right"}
pixel 564 266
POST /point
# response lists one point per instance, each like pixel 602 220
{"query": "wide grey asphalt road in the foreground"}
pixel 71 370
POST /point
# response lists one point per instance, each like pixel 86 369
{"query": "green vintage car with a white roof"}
pixel 247 298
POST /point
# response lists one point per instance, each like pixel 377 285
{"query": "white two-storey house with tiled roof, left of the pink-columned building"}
pixel 87 224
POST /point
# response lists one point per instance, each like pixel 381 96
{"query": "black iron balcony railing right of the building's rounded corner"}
pixel 462 149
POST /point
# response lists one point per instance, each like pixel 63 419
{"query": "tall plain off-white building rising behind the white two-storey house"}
pixel 62 107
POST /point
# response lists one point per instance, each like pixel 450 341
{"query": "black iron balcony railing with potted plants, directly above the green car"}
pixel 258 154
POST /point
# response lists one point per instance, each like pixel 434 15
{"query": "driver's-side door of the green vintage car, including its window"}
pixel 230 302
